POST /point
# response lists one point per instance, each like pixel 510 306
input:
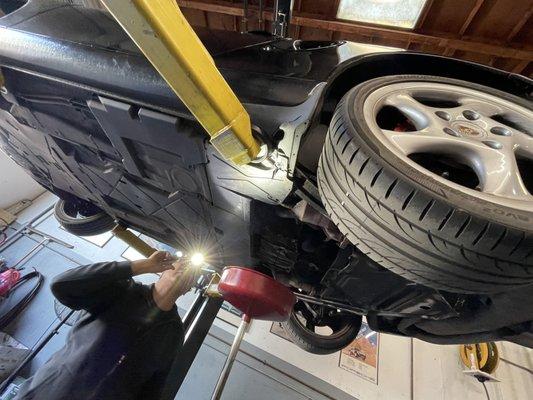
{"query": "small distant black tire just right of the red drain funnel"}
pixel 320 344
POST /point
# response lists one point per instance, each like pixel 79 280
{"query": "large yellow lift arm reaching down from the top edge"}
pixel 161 31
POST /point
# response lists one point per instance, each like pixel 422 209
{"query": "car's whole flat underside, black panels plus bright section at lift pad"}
pixel 153 171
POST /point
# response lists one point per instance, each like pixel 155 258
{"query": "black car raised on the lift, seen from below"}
pixel 393 184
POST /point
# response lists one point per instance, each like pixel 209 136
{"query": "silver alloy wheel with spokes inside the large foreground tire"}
pixel 462 128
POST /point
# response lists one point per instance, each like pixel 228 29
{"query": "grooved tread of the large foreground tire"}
pixel 434 243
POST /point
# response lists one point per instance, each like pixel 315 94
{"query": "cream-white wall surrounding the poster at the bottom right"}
pixel 436 371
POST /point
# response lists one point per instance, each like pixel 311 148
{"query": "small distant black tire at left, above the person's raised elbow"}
pixel 95 224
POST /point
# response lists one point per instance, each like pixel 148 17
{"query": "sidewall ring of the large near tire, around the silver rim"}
pixel 433 187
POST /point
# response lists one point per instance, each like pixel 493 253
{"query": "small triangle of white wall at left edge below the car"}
pixel 15 183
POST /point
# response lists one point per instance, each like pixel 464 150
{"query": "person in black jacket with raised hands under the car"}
pixel 125 342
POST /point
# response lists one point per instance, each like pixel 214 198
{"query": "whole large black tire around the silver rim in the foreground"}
pixel 412 224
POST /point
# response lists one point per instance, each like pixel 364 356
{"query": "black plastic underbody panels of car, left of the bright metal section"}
pixel 106 152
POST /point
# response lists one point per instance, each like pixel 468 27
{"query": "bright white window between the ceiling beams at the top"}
pixel 397 13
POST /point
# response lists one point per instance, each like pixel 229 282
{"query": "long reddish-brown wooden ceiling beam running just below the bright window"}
pixel 379 32
